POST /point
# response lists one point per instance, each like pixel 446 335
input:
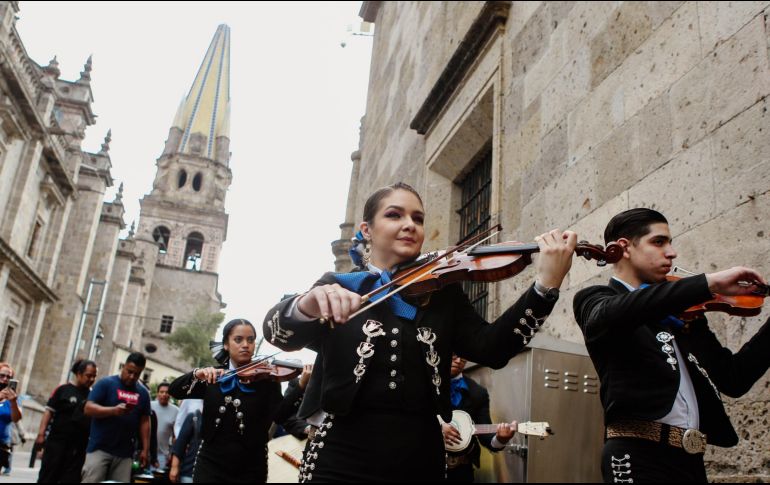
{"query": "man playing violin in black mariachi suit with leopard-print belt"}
pixel 661 378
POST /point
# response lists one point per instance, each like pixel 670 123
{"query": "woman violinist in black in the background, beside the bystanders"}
pixel 237 411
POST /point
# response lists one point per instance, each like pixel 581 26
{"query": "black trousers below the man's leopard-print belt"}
pixel 631 460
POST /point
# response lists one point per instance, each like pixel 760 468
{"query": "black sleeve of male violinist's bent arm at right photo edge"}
pixel 733 374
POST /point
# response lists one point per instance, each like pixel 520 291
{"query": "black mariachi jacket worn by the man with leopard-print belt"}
pixel 625 340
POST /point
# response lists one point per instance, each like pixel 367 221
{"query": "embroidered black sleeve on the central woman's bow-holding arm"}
pixel 282 329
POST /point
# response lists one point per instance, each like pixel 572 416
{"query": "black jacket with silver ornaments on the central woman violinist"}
pixel 447 324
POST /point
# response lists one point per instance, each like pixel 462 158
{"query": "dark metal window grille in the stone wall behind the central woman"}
pixel 475 218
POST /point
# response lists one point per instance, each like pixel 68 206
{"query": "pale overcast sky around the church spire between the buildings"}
pixel 297 100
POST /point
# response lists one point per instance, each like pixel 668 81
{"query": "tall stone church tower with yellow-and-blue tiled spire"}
pixel 182 221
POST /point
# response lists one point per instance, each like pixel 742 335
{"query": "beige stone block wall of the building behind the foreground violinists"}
pixel 590 108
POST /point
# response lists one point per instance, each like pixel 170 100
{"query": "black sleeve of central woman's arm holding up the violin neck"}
pixel 493 345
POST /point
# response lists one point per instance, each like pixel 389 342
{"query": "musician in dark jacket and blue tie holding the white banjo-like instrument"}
pixel 466 395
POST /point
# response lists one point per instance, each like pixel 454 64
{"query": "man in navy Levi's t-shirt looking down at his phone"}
pixel 119 407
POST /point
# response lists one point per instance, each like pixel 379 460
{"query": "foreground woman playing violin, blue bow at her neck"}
pixel 384 374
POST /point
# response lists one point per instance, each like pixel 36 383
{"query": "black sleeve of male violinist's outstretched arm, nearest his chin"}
pixel 601 312
